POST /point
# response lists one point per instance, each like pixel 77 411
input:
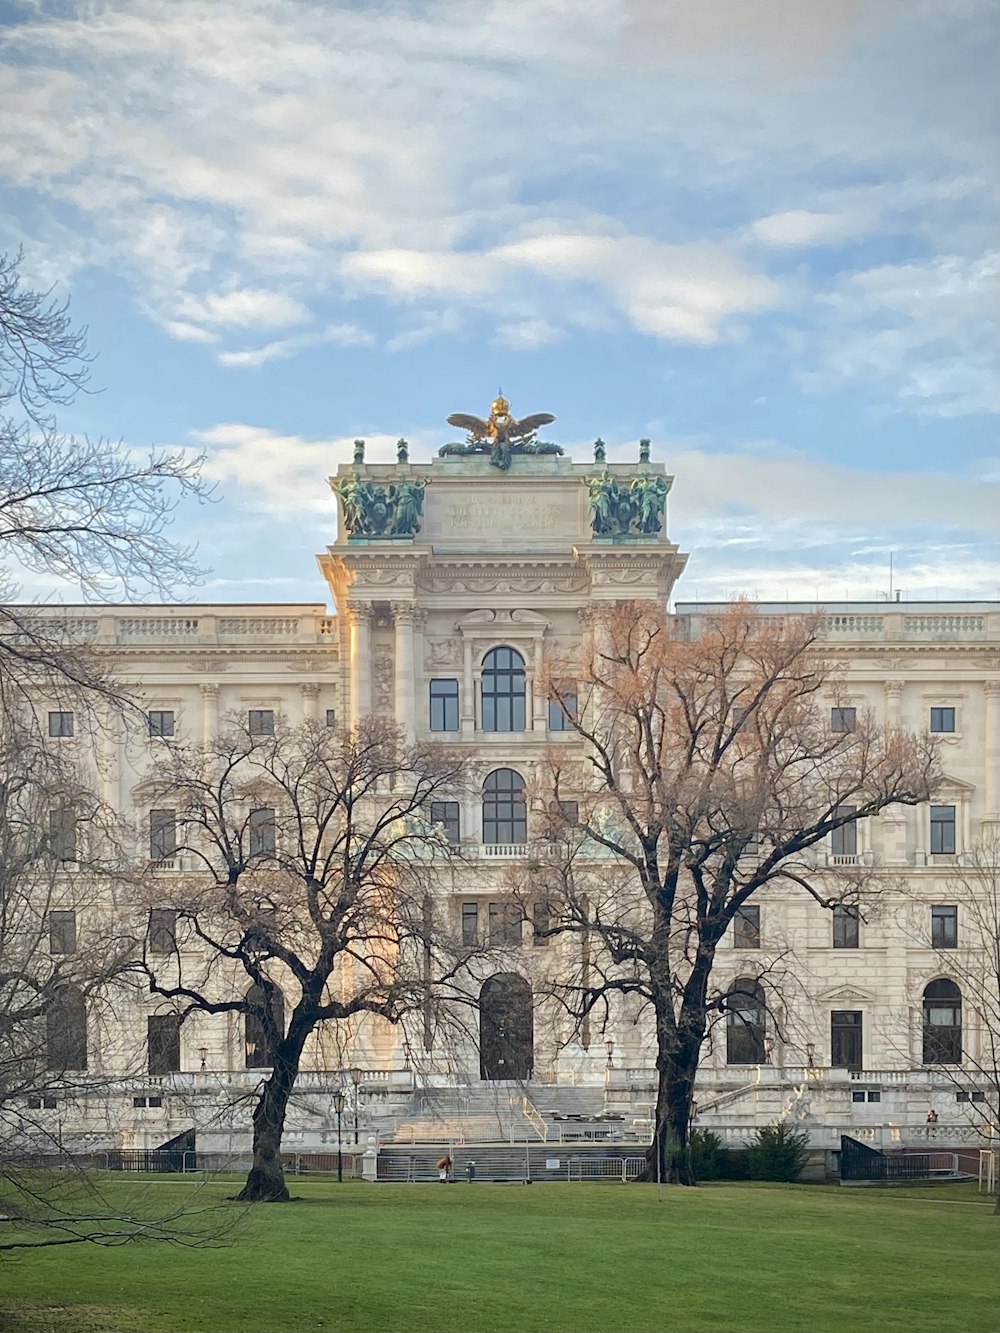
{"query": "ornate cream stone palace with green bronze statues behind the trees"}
pixel 449 582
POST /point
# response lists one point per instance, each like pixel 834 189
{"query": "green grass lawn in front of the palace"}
pixel 567 1258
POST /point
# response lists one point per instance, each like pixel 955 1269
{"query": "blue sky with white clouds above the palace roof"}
pixel 762 233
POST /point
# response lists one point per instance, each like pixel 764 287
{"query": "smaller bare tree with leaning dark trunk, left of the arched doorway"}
pixel 310 899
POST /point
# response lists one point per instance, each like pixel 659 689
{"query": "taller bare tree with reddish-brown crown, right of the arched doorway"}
pixel 713 772
